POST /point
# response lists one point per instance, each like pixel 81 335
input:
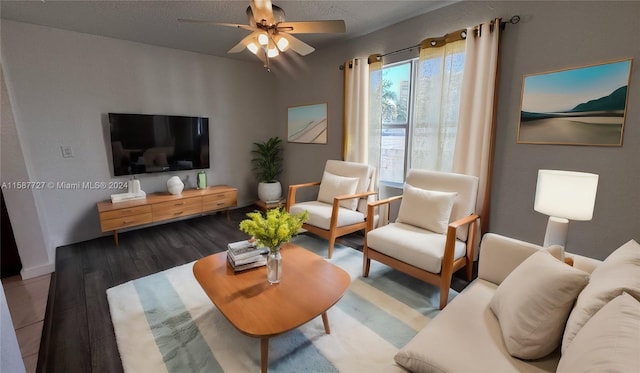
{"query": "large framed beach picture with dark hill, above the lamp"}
pixel 577 106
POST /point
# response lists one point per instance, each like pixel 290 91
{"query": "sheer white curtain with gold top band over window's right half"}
pixel 438 88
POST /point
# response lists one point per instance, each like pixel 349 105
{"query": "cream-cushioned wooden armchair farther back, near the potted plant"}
pixel 341 205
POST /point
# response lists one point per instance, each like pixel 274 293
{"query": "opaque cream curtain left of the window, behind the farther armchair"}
pixel 356 110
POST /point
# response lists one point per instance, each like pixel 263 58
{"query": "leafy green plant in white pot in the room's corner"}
pixel 267 164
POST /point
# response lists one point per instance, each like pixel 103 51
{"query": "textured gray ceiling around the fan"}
pixel 155 22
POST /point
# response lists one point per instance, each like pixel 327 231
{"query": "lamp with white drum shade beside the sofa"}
pixel 564 196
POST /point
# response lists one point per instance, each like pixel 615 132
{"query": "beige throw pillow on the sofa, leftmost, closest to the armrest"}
pixel 533 302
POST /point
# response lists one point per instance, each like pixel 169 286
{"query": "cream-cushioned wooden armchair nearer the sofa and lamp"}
pixel 434 234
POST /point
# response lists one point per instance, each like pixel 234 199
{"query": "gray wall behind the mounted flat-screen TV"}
pixel 62 84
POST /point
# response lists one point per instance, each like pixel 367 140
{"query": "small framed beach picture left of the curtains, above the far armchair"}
pixel 307 124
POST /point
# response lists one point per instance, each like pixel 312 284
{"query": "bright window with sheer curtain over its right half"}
pixel 419 105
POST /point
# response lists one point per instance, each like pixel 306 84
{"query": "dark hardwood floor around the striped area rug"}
pixel 78 334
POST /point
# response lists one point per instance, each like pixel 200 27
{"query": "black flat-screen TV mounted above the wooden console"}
pixel 142 143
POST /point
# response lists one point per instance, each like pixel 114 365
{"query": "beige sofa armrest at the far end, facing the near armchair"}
pixel 499 255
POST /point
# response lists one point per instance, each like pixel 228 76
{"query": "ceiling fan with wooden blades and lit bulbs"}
pixel 271 34
